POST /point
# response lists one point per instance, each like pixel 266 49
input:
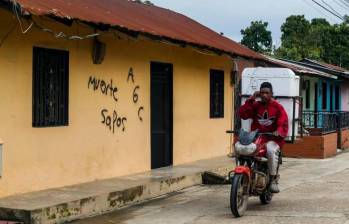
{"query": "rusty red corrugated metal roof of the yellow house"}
pixel 139 18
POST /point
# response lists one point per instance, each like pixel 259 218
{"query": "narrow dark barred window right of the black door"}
pixel 216 94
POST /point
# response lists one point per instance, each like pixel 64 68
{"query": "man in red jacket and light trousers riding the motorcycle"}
pixel 268 116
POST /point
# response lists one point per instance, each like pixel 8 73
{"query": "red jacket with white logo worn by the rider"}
pixel 266 118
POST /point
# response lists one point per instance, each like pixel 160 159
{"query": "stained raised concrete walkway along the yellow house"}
pixel 89 199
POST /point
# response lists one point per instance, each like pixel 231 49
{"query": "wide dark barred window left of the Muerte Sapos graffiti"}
pixel 50 87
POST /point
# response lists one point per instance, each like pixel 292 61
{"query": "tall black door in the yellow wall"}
pixel 161 115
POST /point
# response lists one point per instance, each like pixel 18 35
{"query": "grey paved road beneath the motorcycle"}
pixel 313 191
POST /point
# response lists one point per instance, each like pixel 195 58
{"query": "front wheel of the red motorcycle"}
pixel 239 195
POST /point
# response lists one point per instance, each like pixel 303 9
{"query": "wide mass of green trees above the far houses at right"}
pixel 317 39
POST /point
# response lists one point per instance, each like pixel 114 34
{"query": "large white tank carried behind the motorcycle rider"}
pixel 285 87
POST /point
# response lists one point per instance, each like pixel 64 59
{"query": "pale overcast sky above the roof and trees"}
pixel 230 16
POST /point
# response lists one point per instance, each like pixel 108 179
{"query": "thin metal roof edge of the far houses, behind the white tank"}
pixel 299 68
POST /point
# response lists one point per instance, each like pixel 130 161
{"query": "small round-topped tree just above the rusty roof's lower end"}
pixel 257 37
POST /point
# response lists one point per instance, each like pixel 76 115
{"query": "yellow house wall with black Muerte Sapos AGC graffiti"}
pixel 86 150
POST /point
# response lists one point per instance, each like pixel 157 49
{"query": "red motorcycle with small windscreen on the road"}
pixel 251 175
